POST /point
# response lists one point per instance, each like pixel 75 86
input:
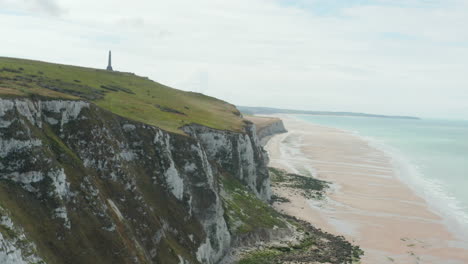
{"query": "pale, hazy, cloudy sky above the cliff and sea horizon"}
pixel 396 57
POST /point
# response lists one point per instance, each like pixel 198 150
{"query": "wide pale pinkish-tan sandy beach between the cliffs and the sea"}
pixel 366 202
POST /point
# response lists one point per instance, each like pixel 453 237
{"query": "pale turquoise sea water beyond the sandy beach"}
pixel 430 155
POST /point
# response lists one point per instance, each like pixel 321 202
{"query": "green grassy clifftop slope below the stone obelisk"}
pixel 125 94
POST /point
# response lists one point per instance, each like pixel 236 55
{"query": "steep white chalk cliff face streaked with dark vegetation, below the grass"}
pixel 81 185
